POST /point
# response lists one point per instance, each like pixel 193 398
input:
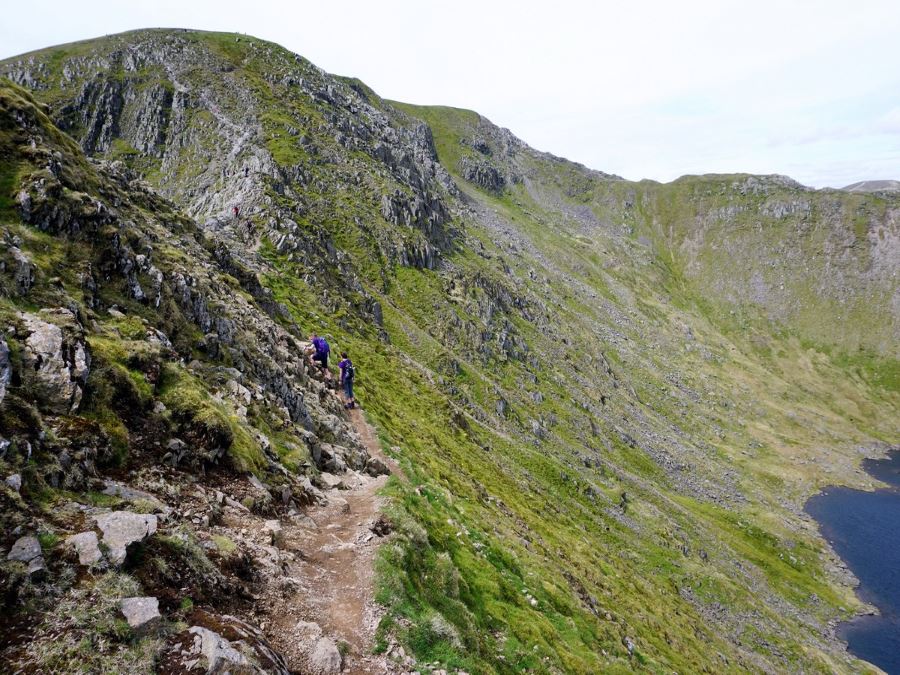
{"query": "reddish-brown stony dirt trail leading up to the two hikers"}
pixel 332 578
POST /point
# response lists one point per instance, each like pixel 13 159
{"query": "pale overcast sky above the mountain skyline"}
pixel 641 89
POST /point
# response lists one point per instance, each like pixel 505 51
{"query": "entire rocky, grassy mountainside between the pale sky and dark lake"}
pixel 603 402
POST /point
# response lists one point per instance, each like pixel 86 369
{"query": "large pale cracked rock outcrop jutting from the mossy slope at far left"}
pixel 55 361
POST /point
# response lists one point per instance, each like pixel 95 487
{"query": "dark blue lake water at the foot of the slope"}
pixel 864 529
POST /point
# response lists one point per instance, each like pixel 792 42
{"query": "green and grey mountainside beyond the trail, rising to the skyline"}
pixel 608 436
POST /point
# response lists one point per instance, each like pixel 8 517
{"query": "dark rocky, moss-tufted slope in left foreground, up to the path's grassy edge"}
pixel 87 378
